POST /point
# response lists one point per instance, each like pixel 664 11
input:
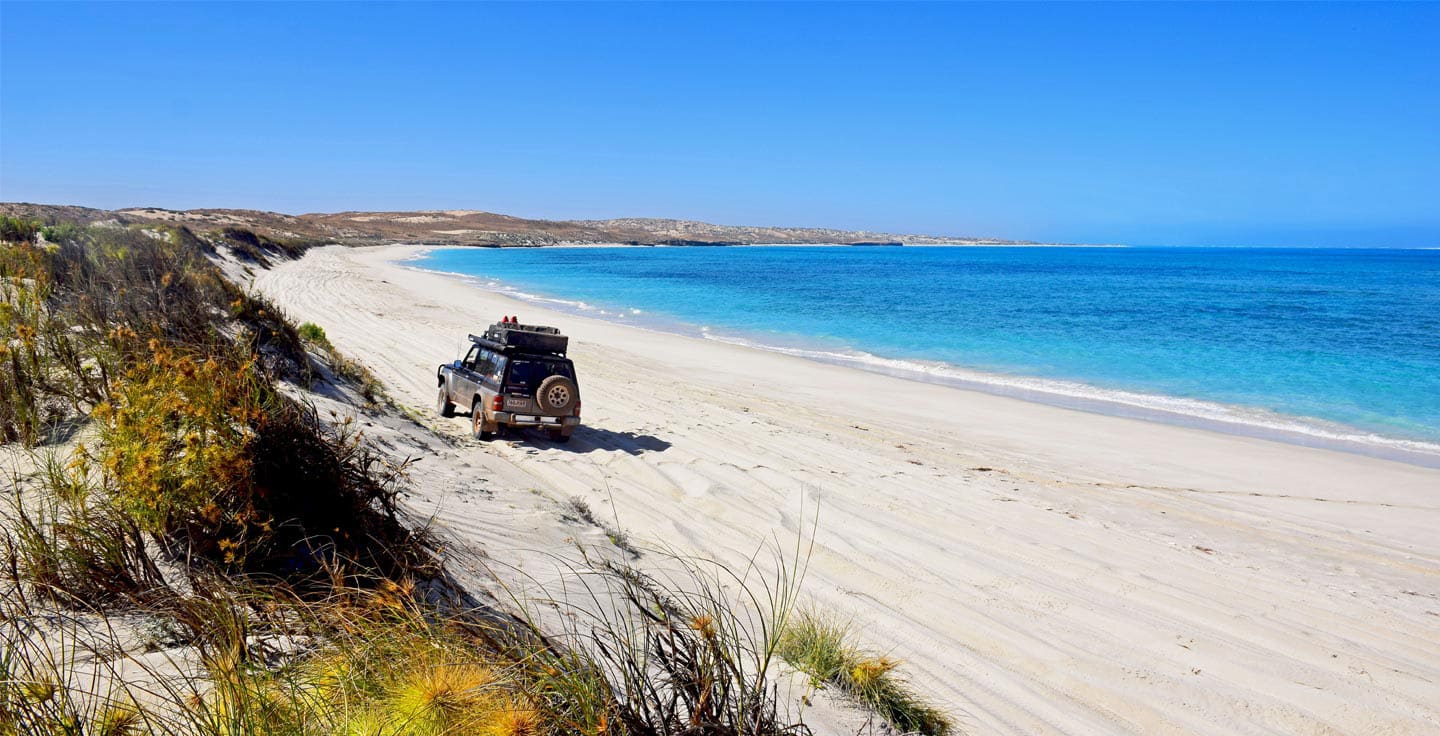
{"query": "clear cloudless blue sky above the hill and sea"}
pixel 1170 125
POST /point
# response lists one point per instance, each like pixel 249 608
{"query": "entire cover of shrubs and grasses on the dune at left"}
pixel 192 549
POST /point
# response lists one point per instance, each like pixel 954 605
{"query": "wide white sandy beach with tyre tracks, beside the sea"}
pixel 1042 571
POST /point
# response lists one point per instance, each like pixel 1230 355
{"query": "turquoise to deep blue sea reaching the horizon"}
pixel 1331 344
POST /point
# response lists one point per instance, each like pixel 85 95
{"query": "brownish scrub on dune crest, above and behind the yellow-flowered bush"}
pixel 76 313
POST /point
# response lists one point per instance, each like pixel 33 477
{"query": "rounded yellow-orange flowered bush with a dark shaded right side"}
pixel 205 453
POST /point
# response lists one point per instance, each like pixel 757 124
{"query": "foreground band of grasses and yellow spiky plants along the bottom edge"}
pixel 643 656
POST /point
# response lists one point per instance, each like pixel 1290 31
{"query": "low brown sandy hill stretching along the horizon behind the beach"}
pixel 476 228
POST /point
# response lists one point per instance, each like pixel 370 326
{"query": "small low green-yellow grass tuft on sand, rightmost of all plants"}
pixel 826 649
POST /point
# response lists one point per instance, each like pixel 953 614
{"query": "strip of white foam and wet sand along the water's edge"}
pixel 1196 414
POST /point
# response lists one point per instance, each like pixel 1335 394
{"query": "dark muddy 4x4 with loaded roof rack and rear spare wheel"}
pixel 515 375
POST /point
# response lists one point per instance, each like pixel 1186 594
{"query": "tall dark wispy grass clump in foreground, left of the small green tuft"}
pixel 689 649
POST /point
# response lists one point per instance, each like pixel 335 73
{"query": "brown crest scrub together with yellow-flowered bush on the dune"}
pixel 176 367
